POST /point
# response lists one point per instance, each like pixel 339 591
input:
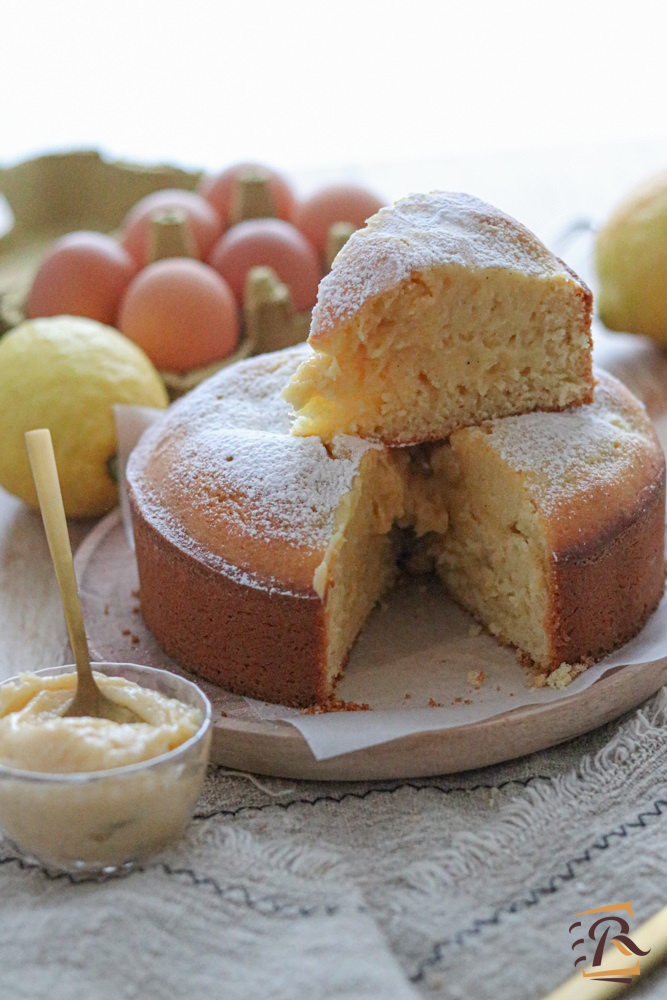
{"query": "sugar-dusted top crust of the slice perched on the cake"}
pixel 419 233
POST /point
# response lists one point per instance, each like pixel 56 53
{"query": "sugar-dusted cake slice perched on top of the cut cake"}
pixel 440 313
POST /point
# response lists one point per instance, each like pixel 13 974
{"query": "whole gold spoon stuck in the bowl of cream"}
pixel 88 699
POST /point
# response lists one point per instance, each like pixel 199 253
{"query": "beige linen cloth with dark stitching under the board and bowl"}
pixel 447 887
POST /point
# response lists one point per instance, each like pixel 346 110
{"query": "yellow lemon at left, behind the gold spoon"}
pixel 65 373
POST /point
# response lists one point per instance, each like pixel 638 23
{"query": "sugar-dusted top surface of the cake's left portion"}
pixel 225 452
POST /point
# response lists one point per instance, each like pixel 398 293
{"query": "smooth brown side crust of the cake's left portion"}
pixel 256 641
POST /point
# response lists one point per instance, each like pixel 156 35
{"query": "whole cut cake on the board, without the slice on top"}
pixel 261 553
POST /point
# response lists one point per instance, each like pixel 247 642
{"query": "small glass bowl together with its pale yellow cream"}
pixel 86 795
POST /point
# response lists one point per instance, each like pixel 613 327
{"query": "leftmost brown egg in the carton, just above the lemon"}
pixel 81 274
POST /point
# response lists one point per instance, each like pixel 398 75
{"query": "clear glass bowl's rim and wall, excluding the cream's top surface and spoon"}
pixel 107 822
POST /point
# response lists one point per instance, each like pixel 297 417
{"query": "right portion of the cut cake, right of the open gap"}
pixel 555 540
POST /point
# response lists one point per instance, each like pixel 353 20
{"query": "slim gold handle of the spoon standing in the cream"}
pixel 45 474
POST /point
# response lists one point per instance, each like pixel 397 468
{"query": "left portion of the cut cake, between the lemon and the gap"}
pixel 260 554
